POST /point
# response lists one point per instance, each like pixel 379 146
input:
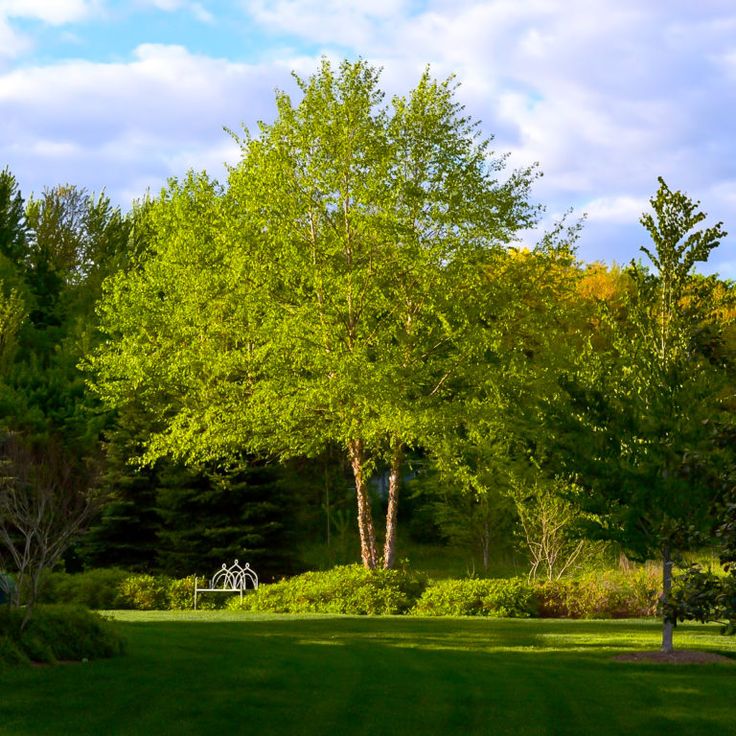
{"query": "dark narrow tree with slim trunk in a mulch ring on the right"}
pixel 645 400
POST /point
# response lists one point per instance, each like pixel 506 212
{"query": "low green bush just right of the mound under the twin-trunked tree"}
pixel 512 597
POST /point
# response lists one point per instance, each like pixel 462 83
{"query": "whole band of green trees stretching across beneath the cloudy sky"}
pixel 358 287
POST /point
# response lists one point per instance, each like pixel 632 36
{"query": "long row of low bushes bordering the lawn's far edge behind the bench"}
pixel 356 591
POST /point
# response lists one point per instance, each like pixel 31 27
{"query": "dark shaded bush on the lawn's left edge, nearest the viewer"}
pixel 56 633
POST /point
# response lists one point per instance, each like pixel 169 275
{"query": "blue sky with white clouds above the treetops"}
pixel 605 95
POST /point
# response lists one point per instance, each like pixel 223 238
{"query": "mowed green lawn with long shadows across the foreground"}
pixel 230 673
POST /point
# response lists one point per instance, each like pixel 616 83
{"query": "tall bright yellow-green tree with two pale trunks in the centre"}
pixel 343 266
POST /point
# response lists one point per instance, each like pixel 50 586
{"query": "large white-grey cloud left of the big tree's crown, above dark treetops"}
pixel 128 126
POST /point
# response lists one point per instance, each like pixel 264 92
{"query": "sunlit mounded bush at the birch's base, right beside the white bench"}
pixel 348 589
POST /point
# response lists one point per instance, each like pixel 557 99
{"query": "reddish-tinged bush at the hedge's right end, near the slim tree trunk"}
pixel 607 594
